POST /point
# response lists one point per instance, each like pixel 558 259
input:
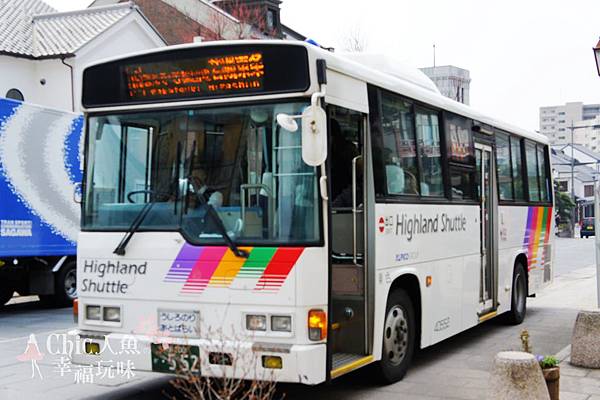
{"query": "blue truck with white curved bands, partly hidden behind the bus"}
pixel 40 168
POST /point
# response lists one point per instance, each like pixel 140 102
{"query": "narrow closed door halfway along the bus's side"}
pixel 488 210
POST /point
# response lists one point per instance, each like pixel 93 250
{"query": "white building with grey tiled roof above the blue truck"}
pixel 43 52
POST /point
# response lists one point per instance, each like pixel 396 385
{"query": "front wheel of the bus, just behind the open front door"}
pixel 398 337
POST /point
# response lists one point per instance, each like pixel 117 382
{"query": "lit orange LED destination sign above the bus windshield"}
pixel 191 77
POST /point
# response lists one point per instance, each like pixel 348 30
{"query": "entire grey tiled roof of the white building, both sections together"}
pixel 41 32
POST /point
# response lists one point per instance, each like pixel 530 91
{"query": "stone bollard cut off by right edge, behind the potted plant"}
pixel 585 343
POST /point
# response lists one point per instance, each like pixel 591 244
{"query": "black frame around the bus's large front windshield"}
pixel 320 242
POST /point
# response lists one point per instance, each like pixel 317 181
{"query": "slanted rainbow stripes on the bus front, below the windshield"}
pixel 201 267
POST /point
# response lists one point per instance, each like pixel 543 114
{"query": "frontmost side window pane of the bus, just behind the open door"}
pixel 398 146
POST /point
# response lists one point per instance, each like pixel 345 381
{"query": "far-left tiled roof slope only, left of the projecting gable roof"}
pixel 16 33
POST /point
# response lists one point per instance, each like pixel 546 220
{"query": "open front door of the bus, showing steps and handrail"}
pixel 348 336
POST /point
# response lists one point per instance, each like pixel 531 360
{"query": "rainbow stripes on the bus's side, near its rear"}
pixel 537 235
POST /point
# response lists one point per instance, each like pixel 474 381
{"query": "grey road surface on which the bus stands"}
pixel 455 368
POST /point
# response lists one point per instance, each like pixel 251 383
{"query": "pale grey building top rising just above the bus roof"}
pixel 453 82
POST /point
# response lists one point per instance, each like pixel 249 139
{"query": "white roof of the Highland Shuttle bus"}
pixel 377 70
